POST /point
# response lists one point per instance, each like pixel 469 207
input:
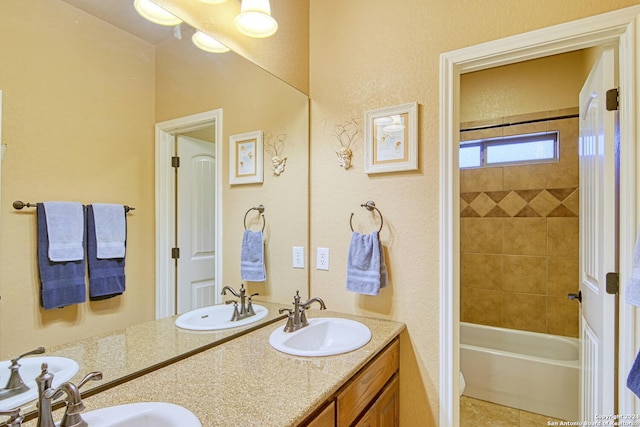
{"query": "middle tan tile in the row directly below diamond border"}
pixel 525 236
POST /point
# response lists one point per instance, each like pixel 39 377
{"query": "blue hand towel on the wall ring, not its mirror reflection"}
pixel 366 268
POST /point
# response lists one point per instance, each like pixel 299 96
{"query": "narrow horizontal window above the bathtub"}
pixel 513 150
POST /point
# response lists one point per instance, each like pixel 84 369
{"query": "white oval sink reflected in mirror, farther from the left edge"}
pixel 217 317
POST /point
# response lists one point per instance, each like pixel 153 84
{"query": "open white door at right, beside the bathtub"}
pixel 598 240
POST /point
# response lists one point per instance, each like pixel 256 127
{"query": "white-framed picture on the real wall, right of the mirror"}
pixel 391 139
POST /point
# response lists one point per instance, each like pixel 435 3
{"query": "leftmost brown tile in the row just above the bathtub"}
pixel 481 306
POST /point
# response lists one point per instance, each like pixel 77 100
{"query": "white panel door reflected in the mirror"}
pixel 196 208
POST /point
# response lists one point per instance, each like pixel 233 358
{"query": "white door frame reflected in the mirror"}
pixel 165 203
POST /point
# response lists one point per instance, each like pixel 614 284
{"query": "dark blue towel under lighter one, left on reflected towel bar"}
pixel 61 283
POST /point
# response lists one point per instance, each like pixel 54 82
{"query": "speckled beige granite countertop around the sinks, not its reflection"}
pixel 246 382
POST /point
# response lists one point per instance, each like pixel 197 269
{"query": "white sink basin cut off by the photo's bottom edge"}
pixel 144 414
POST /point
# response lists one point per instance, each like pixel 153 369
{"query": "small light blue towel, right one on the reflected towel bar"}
pixel 111 230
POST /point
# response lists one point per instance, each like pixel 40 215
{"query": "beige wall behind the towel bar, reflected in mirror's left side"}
pixel 78 127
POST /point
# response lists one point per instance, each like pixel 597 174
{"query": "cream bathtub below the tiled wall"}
pixel 526 370
